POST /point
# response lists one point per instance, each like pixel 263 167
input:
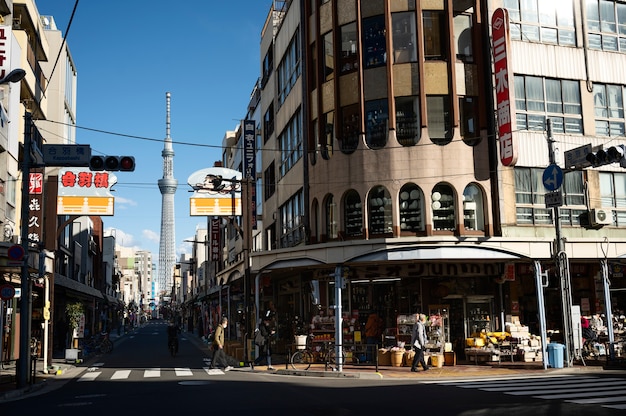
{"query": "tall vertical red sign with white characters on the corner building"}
pixel 504 86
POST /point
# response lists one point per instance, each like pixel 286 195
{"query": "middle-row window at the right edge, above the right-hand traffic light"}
pixel 608 101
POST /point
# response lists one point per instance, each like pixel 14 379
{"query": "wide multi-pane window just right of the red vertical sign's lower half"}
pixel 538 98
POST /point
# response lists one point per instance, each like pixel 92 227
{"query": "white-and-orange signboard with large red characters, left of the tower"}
pixel 85 192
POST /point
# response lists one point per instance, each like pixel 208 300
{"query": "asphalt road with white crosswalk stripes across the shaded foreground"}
pixel 141 378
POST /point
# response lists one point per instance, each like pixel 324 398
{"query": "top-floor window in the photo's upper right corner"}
pixel 606 21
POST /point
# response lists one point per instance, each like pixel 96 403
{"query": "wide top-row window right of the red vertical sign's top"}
pixel 542 21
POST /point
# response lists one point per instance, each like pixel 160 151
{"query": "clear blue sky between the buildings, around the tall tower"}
pixel 128 54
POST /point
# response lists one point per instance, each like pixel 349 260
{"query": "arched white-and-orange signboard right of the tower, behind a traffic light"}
pixel 217 192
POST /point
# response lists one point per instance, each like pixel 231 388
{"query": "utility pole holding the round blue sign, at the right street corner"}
pixel 562 266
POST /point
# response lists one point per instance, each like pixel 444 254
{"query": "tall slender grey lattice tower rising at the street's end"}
pixel 167 186
